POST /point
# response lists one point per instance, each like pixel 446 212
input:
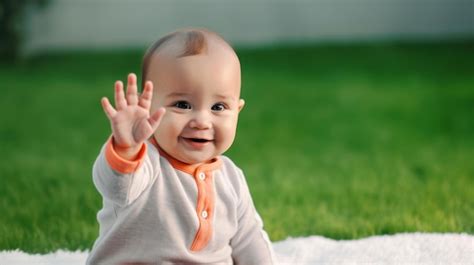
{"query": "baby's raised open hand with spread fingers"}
pixel 130 120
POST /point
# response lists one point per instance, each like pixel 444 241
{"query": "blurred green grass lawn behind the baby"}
pixel 344 141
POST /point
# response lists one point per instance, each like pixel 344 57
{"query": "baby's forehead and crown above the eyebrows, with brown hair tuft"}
pixel 176 54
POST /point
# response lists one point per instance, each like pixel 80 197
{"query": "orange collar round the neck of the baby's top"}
pixel 191 169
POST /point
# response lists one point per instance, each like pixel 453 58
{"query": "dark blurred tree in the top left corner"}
pixel 12 26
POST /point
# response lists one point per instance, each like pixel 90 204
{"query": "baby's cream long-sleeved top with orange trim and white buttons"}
pixel 154 214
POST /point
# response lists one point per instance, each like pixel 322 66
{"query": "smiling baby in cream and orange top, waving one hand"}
pixel 169 195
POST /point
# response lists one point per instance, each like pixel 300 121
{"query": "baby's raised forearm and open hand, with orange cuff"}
pixel 123 169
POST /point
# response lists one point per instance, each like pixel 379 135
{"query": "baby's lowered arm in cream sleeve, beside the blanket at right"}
pixel 250 245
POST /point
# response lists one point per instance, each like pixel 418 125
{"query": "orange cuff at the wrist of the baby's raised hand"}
pixel 120 164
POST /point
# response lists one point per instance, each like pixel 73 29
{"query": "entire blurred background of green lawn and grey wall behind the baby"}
pixel 358 117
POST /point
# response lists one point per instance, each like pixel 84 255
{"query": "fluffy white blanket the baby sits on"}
pixel 408 248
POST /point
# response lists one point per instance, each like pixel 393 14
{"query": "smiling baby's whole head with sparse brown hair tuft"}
pixel 196 77
